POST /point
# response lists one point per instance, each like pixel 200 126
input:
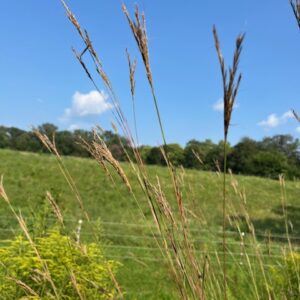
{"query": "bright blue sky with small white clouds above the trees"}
pixel 42 82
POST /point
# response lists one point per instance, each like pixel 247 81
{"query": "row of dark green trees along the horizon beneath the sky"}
pixel 269 157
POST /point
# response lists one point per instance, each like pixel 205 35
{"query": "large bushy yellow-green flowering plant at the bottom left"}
pixel 74 269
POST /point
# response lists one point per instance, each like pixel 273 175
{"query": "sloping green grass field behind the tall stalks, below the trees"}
pixel 123 230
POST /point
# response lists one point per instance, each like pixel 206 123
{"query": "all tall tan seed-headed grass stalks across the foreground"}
pixel 198 273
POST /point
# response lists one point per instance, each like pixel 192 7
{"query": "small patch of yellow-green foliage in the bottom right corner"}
pixel 286 277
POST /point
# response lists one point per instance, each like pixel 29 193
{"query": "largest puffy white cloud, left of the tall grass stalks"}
pixel 83 105
